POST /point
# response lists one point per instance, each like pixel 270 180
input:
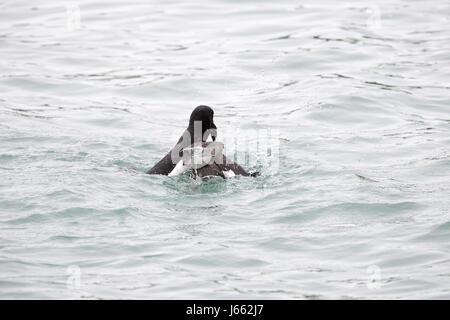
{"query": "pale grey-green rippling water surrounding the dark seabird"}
pixel 93 93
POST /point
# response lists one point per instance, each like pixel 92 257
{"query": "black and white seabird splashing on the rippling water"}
pixel 193 153
